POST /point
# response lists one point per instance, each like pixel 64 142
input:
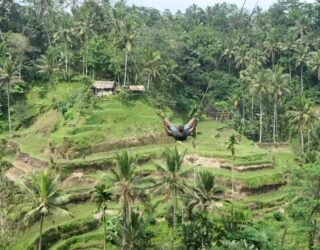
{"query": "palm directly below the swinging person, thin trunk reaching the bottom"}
pixel 172 180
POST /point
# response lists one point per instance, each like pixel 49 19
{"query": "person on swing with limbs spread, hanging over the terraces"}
pixel 183 131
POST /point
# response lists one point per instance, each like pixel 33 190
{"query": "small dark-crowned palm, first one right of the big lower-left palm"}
pixel 101 196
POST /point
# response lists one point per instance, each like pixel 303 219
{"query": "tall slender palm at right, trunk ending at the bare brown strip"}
pixel 278 88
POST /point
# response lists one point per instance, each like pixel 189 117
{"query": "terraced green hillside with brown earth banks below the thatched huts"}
pixel 135 127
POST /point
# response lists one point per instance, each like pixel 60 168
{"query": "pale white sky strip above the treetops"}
pixel 175 5
